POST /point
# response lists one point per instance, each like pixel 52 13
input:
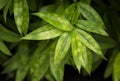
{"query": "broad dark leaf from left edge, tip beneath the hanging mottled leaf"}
pixel 7 35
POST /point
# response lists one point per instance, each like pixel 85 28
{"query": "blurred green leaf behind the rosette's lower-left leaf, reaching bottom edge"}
pixel 57 70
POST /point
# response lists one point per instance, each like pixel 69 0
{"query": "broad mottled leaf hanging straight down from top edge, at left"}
pixel 21 15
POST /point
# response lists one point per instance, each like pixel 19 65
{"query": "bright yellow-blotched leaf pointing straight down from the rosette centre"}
pixel 76 50
